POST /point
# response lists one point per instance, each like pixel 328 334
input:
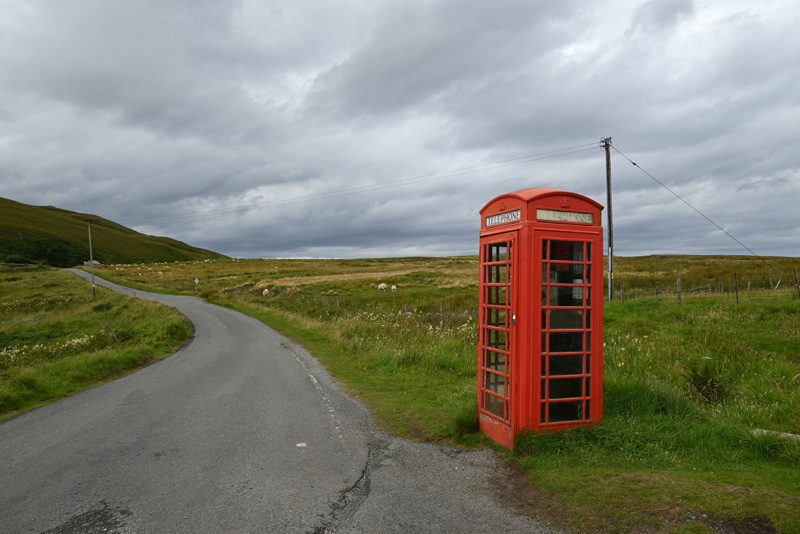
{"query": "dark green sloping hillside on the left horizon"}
pixel 60 238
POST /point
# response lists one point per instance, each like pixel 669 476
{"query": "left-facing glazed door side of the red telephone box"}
pixel 498 295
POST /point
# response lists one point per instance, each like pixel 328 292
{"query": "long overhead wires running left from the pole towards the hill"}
pixel 383 185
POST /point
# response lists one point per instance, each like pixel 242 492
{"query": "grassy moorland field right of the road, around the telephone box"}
pixel 684 384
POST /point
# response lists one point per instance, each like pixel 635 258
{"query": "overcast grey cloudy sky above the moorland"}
pixel 373 128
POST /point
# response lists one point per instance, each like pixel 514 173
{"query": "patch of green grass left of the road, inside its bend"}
pixel 56 339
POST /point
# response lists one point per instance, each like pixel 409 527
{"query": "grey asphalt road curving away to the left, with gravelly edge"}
pixel 239 431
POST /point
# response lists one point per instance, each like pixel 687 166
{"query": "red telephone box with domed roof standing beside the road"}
pixel 540 313
